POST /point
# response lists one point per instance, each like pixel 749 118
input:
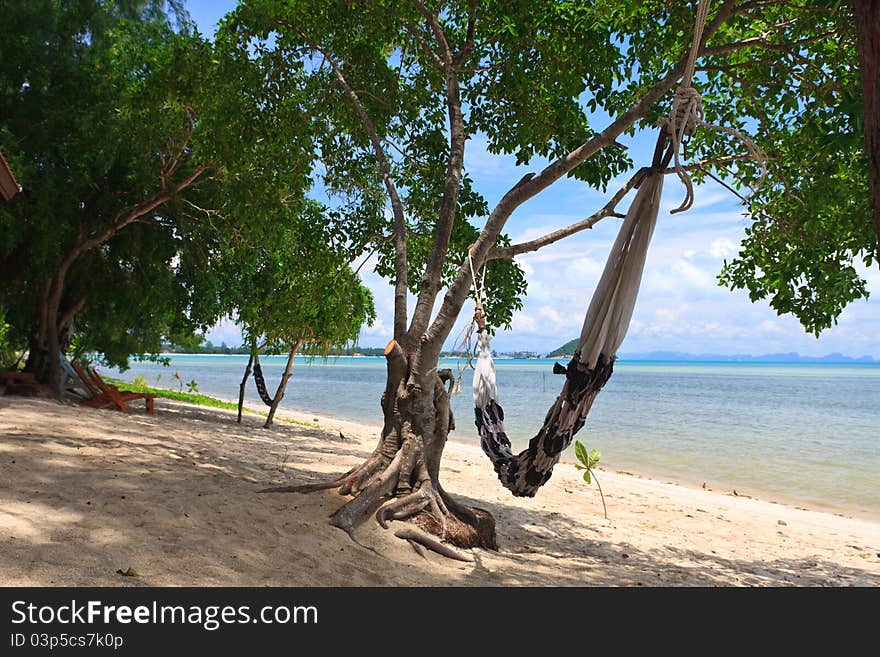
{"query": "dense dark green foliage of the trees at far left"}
pixel 135 146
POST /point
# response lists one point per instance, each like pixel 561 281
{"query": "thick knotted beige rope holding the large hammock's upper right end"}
pixel 687 114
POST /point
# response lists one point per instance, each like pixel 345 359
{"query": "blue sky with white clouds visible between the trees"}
pixel 680 307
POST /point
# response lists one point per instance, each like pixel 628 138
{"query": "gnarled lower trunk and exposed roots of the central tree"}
pixel 400 480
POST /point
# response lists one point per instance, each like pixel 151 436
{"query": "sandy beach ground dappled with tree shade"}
pixel 85 493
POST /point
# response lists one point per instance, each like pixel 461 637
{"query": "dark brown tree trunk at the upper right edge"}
pixel 867 16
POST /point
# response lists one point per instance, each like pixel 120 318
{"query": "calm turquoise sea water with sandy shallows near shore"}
pixel 777 431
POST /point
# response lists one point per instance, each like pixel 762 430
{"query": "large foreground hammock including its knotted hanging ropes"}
pixel 609 312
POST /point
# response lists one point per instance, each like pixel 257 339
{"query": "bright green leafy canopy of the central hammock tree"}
pixel 541 78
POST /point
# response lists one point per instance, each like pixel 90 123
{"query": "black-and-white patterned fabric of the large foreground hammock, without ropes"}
pixel 605 326
